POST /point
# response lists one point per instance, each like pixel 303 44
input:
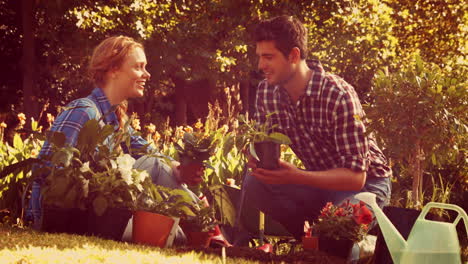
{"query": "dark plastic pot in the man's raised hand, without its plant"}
pixel 268 154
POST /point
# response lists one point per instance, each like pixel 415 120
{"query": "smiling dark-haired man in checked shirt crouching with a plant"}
pixel 322 115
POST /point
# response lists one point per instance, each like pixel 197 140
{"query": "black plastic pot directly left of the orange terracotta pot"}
pixel 110 225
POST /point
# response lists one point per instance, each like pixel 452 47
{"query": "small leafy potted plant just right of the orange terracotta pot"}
pixel 200 228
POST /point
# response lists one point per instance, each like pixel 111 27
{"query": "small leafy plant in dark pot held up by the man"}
pixel 264 143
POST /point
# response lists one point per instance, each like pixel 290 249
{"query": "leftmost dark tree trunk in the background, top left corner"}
pixel 28 60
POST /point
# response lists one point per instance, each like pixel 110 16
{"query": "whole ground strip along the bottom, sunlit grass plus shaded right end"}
pixel 24 245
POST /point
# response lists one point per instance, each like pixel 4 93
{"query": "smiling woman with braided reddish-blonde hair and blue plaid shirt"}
pixel 118 69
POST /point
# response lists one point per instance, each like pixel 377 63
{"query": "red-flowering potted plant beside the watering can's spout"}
pixel 339 227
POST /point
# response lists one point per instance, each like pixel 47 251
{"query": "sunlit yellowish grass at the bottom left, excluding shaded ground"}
pixel 29 246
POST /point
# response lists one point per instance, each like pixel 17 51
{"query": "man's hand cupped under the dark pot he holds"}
pixel 286 174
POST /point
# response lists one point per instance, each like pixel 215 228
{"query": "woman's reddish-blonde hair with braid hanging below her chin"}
pixel 109 55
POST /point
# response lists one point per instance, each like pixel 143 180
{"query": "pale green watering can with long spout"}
pixel 428 242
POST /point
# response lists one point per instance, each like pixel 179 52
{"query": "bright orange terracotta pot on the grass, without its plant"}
pixel 153 229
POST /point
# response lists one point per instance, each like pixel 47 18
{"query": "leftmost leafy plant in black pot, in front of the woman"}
pixel 64 190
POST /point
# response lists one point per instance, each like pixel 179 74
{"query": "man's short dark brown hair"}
pixel 286 32
